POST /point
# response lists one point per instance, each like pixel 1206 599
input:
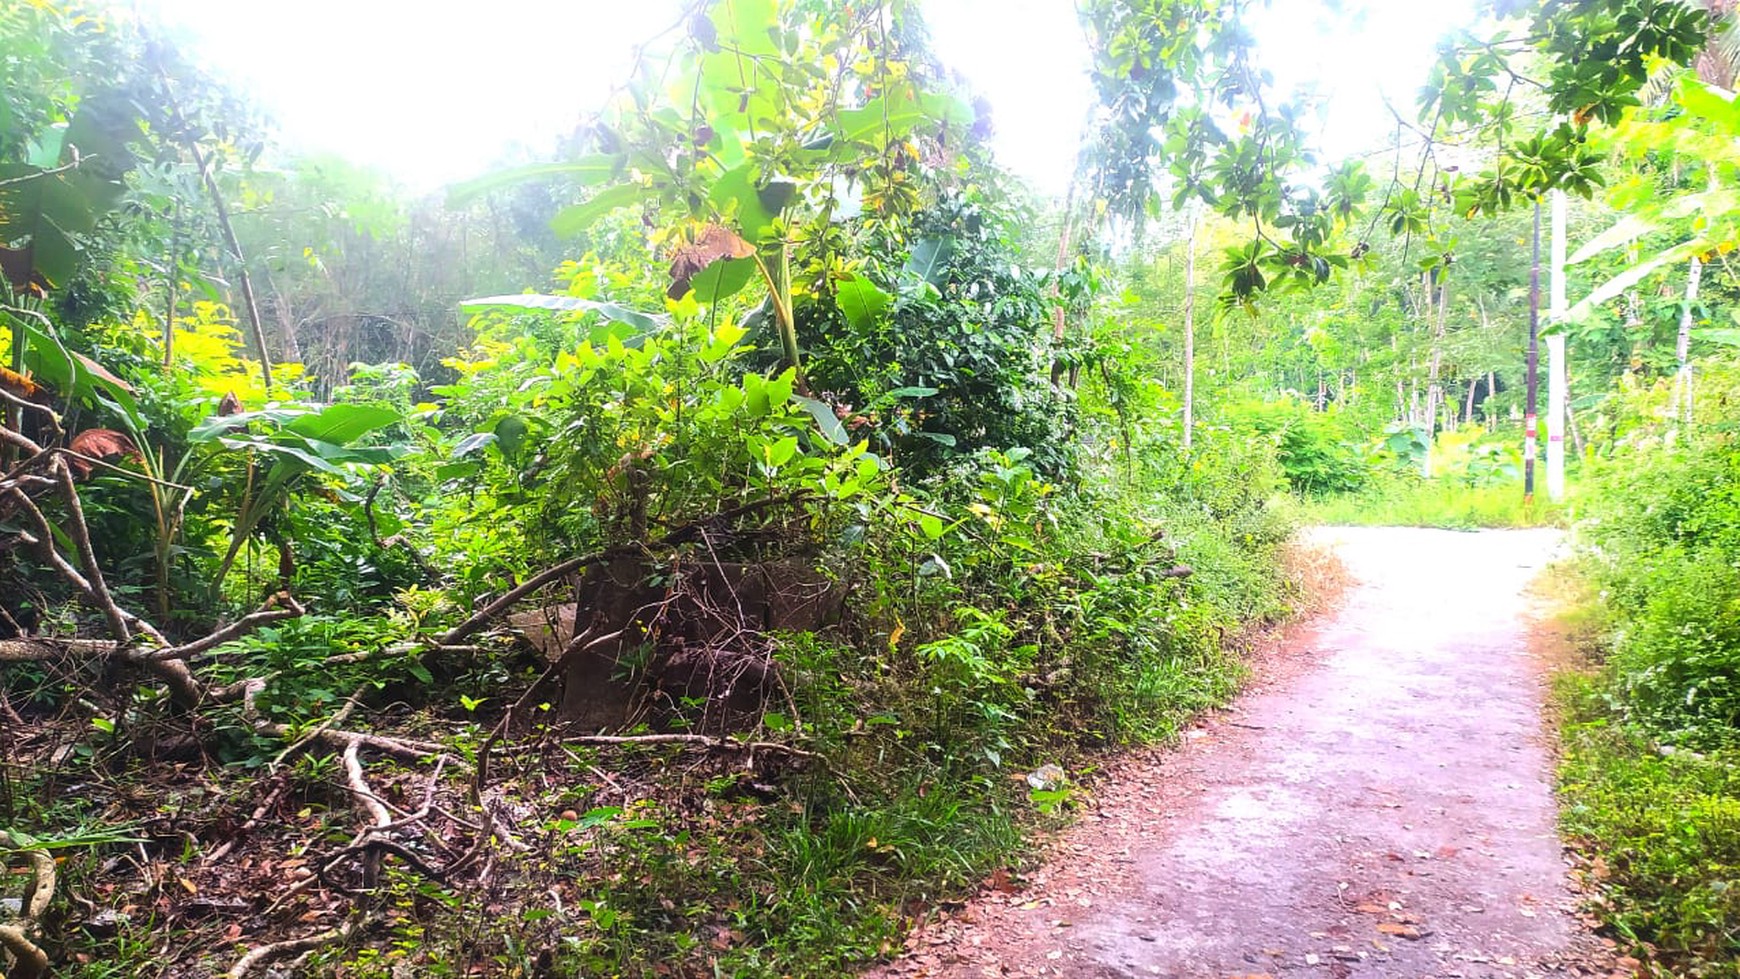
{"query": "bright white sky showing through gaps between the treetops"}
pixel 439 91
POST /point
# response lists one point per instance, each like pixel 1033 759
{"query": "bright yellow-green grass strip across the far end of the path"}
pixel 1436 503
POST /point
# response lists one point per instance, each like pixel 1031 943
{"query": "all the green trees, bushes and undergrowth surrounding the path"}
pixel 713 549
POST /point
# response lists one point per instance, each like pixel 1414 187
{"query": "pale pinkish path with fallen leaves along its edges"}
pixel 1377 806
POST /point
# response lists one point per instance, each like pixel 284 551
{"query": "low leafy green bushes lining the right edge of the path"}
pixel 1652 773
